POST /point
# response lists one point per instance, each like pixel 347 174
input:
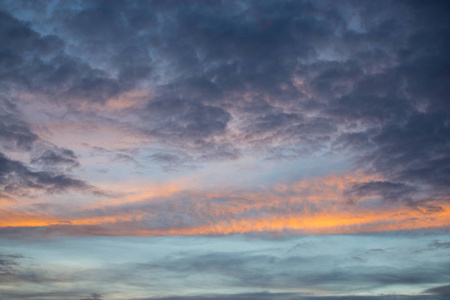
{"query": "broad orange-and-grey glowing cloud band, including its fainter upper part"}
pixel 315 206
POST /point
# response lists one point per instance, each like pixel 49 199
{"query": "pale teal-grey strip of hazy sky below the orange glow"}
pixel 306 264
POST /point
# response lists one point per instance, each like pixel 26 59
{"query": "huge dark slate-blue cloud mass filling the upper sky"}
pixel 277 80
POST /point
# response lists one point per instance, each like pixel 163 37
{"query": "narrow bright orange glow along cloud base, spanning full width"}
pixel 312 223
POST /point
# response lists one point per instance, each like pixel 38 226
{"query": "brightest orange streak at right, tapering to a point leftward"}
pixel 326 223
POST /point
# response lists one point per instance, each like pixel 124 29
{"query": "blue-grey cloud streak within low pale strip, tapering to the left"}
pixel 247 270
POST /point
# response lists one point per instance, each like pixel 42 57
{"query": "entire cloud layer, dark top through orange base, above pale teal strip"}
pixel 103 92
